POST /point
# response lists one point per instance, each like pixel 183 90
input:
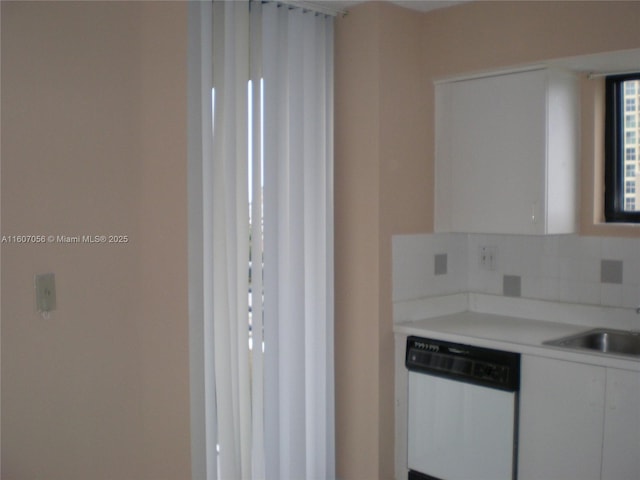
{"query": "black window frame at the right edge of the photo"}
pixel 615 175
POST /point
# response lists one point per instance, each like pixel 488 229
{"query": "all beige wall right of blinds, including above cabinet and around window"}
pixel 386 61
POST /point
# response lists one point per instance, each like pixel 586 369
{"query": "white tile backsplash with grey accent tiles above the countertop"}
pixel 565 268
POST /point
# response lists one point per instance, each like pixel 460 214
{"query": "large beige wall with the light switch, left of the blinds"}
pixel 94 142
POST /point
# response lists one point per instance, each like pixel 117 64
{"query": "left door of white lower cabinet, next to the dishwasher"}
pixel 561 420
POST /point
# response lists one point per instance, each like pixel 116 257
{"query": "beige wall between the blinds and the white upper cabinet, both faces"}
pixel 380 176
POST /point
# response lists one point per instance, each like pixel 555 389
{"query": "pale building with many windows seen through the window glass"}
pixel 631 102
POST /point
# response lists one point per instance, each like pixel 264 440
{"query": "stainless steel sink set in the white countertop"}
pixel 603 340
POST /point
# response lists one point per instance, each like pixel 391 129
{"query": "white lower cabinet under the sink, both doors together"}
pixel 578 421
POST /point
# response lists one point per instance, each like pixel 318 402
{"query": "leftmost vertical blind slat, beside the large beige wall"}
pixel 200 178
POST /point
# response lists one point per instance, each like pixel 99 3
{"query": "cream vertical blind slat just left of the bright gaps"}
pixel 231 238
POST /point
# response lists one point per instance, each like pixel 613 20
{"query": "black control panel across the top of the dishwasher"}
pixel 466 363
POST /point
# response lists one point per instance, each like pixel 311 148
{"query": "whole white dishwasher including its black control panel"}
pixel 462 411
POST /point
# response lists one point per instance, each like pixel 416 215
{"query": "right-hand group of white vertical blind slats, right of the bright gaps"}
pixel 298 77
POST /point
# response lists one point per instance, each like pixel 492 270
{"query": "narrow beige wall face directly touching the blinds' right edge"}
pixel 357 218
